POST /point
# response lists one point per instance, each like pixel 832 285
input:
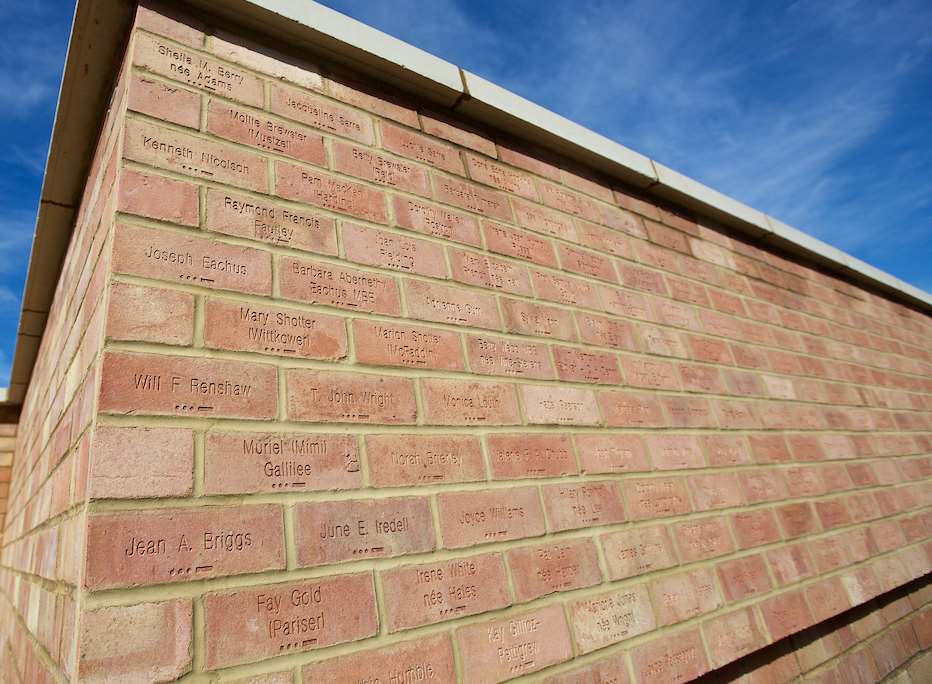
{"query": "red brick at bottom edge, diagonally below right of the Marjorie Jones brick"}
pixel 670 659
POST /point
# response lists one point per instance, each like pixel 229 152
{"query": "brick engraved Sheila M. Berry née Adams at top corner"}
pixel 206 73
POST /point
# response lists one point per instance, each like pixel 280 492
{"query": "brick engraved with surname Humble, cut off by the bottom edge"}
pixel 429 658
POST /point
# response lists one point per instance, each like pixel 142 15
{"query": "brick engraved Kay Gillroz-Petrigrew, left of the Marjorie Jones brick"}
pixel 513 646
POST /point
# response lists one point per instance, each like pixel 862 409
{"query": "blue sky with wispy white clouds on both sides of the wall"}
pixel 815 112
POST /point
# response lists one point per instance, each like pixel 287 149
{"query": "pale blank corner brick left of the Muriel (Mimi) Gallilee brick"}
pixel 131 463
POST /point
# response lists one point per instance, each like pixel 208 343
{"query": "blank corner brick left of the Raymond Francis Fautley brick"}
pixel 157 197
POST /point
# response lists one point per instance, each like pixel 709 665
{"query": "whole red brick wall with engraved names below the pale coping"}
pixel 382 393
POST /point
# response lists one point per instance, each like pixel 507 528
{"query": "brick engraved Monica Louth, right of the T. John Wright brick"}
pixel 460 402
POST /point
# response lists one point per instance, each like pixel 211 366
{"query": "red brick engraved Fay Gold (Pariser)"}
pixel 260 622
